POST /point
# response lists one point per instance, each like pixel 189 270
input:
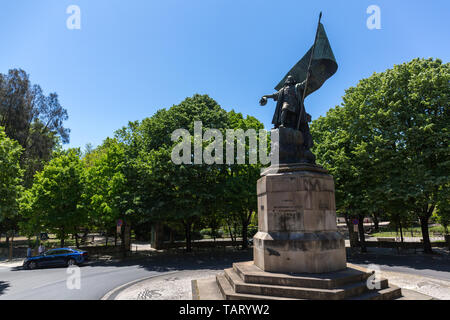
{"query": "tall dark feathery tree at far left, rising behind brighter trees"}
pixel 32 119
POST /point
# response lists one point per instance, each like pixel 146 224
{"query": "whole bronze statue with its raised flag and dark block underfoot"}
pixel 307 76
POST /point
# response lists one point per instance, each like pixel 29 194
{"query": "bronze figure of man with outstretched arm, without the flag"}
pixel 289 108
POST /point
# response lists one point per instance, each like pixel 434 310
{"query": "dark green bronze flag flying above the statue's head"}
pixel 323 64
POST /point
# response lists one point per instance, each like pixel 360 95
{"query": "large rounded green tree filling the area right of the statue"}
pixel 387 145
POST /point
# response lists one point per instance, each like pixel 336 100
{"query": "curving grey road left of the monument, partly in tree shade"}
pixel 97 279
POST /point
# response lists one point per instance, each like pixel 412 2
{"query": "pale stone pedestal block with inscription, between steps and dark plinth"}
pixel 297 223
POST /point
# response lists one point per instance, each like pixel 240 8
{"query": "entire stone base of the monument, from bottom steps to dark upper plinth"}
pixel 298 252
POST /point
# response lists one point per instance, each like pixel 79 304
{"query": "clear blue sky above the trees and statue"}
pixel 133 57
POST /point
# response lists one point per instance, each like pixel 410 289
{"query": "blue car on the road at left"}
pixel 56 257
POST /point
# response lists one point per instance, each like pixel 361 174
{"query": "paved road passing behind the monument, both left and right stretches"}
pixel 97 279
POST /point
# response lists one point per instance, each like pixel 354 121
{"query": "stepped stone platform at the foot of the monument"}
pixel 245 281
